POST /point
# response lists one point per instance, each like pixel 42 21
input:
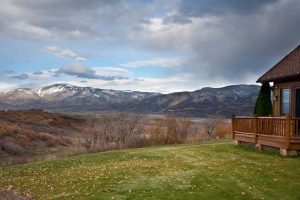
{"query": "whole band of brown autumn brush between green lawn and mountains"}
pixel 26 134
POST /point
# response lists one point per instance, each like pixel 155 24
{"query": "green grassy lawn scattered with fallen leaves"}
pixel 191 171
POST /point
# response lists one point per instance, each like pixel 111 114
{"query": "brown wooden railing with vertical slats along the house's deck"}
pixel 277 126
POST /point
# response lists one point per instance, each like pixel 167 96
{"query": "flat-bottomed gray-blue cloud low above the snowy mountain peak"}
pixel 81 71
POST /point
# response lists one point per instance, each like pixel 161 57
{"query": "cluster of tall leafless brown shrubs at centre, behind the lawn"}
pixel 132 130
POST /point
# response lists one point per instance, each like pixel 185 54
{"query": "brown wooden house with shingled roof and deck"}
pixel 281 131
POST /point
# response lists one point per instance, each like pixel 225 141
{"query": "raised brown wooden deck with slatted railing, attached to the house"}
pixel 279 132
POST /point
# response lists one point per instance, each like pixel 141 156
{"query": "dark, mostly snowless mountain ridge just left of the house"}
pixel 226 101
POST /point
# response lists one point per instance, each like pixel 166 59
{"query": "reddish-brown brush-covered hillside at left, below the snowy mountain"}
pixel 34 132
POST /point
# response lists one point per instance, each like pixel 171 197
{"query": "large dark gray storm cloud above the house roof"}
pixel 243 45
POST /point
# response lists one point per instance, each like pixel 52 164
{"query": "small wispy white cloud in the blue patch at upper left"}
pixel 64 53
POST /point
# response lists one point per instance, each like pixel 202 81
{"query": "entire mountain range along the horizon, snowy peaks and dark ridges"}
pixel 225 101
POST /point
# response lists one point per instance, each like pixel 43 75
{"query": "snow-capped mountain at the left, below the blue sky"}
pixel 69 97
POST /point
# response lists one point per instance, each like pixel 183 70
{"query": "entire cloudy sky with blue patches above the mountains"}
pixel 146 45
